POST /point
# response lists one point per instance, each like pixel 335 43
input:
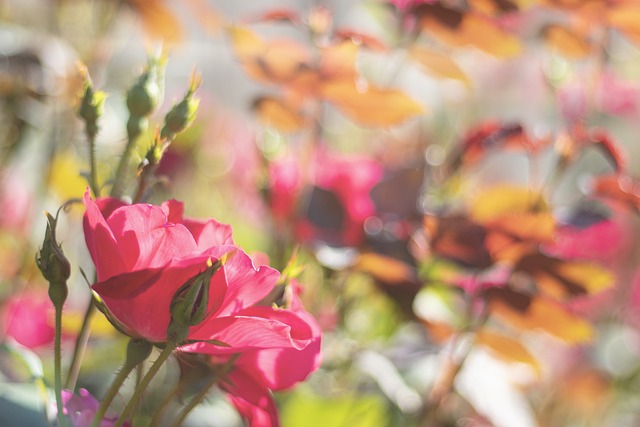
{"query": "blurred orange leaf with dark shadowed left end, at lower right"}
pixel 523 312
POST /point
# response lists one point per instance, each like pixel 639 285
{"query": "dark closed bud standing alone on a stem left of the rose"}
pixel 53 264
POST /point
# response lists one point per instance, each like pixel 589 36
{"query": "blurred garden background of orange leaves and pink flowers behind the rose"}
pixel 456 180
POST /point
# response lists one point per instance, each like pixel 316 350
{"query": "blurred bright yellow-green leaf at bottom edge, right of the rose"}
pixel 314 411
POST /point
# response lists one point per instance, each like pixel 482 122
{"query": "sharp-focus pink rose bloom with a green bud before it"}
pixel 143 254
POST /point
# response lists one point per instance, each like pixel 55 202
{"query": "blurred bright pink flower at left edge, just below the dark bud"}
pixel 27 319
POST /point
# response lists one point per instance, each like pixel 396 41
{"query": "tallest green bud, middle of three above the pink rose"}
pixel 144 96
